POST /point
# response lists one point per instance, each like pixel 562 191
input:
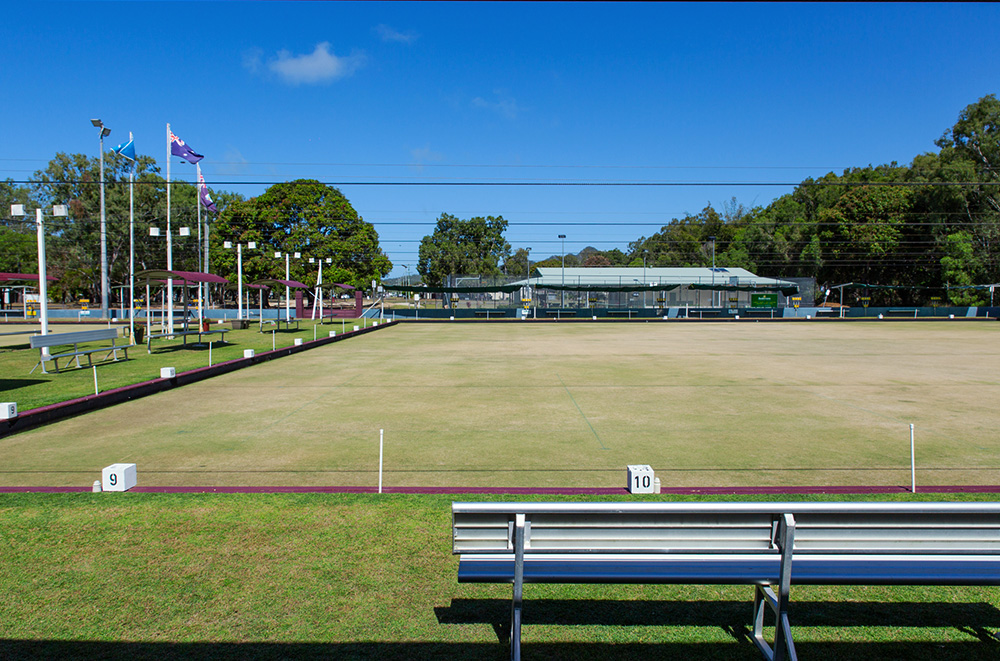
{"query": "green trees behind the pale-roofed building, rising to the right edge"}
pixel 923 231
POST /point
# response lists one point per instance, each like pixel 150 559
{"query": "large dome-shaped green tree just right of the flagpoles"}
pixel 303 216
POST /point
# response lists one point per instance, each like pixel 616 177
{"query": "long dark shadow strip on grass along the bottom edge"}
pixel 140 651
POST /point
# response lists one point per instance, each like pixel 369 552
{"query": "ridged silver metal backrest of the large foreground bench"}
pixel 729 528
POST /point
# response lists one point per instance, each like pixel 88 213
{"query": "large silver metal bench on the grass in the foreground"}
pixel 767 545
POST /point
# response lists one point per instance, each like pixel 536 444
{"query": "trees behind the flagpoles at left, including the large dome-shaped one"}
pixel 303 216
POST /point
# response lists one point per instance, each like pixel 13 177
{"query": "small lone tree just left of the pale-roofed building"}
pixel 463 247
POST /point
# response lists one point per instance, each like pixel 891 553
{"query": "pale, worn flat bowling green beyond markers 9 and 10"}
pixel 563 405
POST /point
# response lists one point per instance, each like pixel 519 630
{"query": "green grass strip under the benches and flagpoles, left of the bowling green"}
pixel 32 390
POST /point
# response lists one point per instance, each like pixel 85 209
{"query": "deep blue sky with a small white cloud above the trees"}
pixel 345 93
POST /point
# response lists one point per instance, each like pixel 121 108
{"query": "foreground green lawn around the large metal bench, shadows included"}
pixel 154 576
